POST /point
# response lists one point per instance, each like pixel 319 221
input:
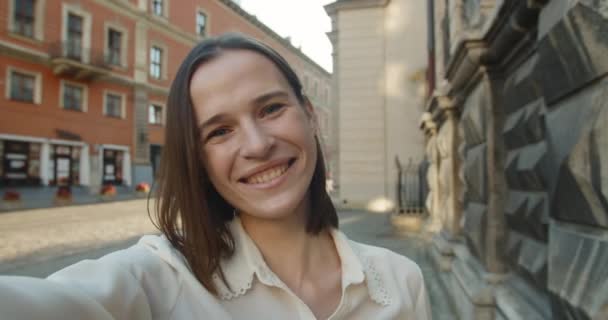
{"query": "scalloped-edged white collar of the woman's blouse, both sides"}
pixel 247 262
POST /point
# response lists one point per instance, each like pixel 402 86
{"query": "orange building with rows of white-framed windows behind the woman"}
pixel 85 83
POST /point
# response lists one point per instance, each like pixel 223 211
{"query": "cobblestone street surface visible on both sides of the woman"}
pixel 38 242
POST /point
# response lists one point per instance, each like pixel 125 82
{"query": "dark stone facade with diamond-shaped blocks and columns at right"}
pixel 517 136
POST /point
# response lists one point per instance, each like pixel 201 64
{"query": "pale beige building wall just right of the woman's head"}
pixel 379 61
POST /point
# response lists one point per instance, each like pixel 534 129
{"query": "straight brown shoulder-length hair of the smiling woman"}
pixel 189 210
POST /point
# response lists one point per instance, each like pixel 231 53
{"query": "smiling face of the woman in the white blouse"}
pixel 258 141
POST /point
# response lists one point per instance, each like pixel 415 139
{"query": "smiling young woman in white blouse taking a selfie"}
pixel 249 231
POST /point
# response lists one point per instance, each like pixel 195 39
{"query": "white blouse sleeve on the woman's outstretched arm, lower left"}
pixel 101 289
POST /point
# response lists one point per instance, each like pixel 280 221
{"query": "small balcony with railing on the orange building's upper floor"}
pixel 70 58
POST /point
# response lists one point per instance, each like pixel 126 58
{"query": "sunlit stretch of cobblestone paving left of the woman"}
pixel 31 236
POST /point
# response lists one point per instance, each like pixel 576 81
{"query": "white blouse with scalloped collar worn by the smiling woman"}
pixel 151 280
